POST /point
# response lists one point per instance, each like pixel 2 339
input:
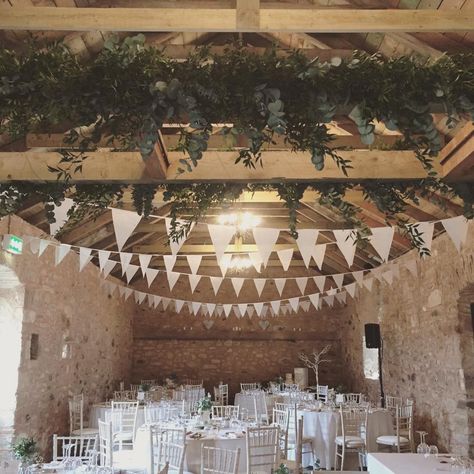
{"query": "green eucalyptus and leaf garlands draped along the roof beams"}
pixel 129 91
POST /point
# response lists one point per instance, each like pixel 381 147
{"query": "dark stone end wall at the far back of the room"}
pixel 233 350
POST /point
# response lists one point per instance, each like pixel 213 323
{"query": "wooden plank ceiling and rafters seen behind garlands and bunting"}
pixel 150 235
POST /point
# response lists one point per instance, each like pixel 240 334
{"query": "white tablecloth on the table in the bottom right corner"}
pixel 407 463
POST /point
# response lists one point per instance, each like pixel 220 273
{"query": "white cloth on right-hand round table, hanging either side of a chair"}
pixel 323 428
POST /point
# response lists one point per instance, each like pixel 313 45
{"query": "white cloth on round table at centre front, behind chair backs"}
pixel 193 447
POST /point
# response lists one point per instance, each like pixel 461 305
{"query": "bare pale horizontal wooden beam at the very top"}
pixel 311 20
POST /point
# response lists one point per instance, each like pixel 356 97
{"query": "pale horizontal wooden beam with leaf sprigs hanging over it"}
pixel 128 167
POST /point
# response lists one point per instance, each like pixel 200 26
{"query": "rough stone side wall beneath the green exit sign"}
pixel 61 305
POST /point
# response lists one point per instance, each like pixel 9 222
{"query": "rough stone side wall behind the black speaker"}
pixel 421 331
